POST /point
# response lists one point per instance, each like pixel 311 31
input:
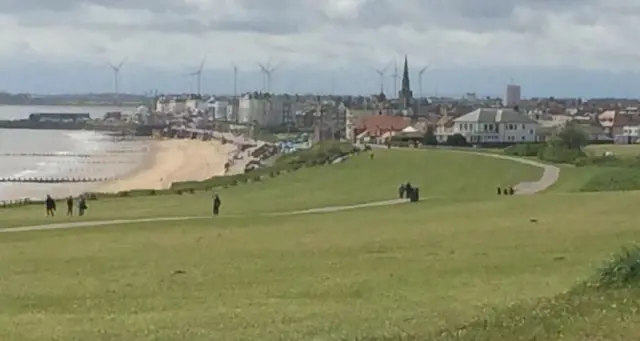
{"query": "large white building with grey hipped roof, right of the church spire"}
pixel 490 125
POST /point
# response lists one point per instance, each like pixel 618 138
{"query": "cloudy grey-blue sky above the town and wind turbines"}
pixel 585 48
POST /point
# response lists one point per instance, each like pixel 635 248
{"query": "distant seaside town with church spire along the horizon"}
pixel 377 118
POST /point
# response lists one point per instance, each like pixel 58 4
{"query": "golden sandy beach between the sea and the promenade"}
pixel 174 160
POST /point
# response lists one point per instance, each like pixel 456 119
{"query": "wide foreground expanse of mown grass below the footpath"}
pixel 379 273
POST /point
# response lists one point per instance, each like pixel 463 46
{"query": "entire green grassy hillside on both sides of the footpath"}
pixel 462 265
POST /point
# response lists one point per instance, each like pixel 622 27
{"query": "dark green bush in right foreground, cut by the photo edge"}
pixel 621 271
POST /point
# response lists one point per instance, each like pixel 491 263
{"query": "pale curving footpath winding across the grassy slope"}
pixel 549 176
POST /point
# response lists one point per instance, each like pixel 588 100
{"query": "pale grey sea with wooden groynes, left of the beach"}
pixel 63 154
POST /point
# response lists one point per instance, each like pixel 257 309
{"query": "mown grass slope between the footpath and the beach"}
pixel 438 173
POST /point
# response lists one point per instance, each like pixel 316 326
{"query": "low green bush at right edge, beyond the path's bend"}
pixel 613 179
